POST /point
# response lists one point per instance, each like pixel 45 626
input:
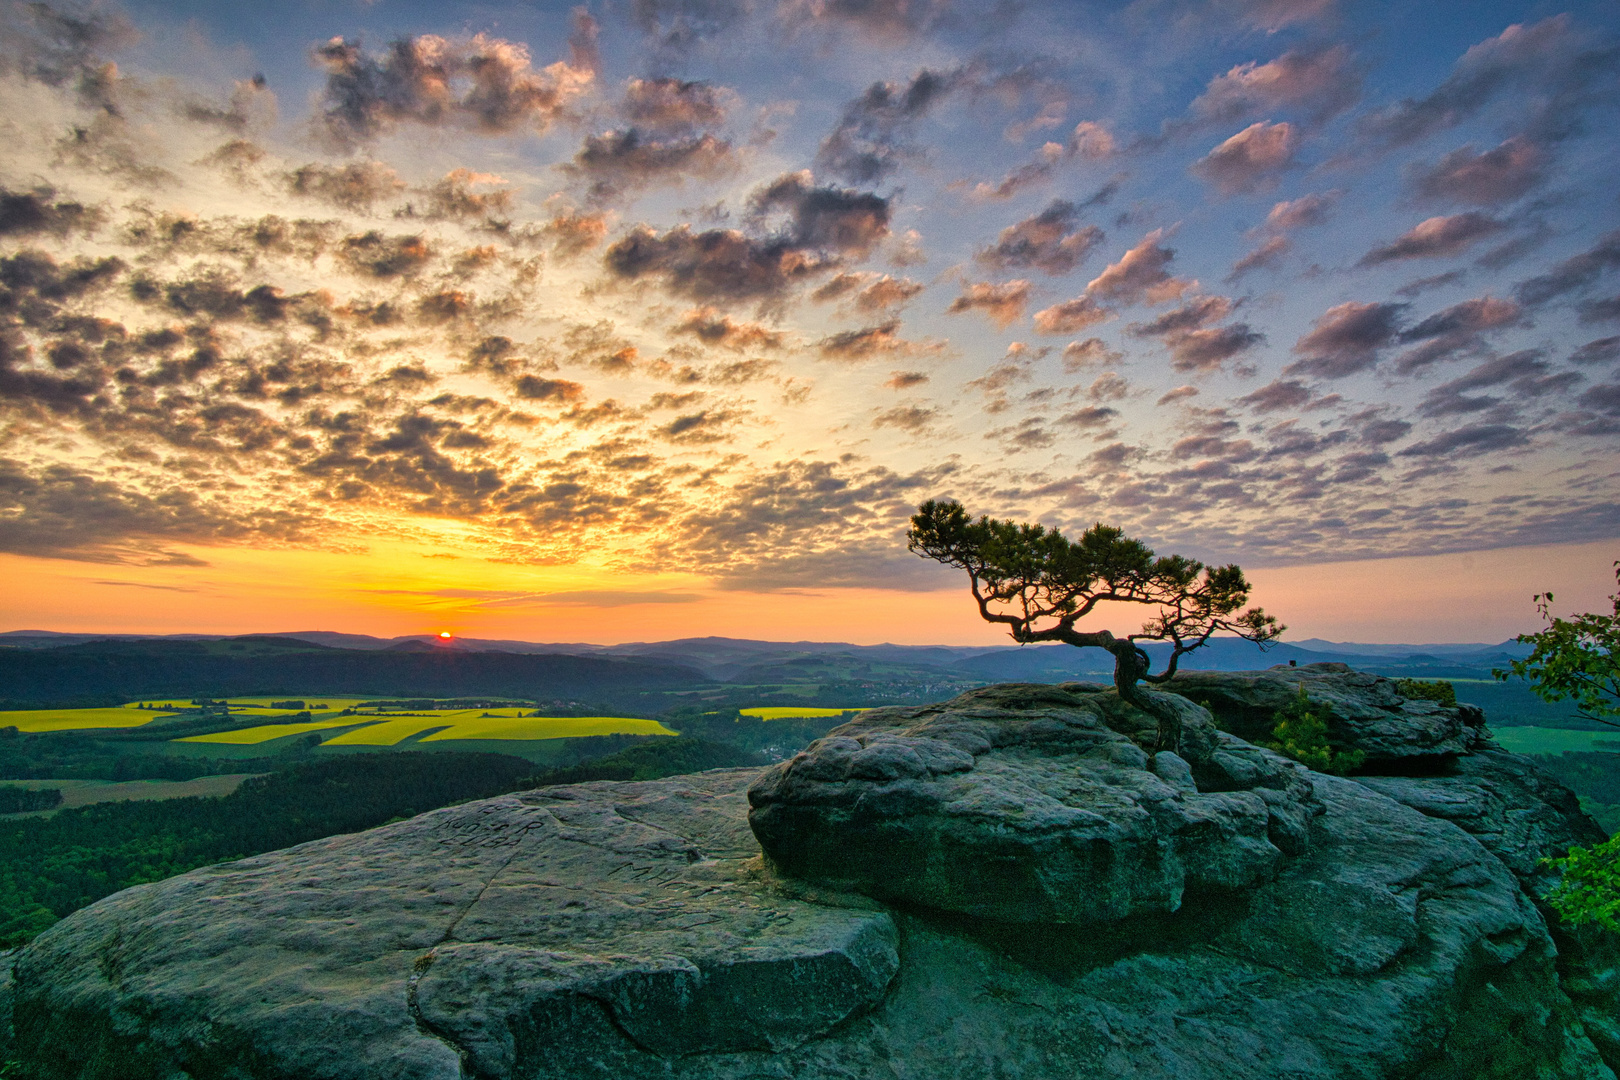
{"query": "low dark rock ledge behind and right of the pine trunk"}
pixel 1363 712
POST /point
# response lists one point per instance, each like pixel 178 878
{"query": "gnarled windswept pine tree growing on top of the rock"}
pixel 1041 585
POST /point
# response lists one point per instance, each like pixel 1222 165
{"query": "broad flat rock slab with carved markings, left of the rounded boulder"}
pixel 463 937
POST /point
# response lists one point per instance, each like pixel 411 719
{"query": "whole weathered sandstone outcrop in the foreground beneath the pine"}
pixel 1008 885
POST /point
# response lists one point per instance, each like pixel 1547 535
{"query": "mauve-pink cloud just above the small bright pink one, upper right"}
pixel 1323 83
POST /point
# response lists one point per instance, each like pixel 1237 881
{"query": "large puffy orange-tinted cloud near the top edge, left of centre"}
pixel 482 85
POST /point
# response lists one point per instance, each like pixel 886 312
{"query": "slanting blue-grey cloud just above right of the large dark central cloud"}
pixel 872 138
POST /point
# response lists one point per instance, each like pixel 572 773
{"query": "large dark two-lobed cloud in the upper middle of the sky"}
pixel 824 224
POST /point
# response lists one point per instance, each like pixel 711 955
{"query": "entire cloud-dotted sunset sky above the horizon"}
pixel 659 318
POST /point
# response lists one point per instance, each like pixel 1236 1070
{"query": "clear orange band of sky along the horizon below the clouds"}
pixel 1469 597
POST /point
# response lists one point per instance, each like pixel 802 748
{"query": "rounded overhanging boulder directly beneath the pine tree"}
pixel 1025 804
